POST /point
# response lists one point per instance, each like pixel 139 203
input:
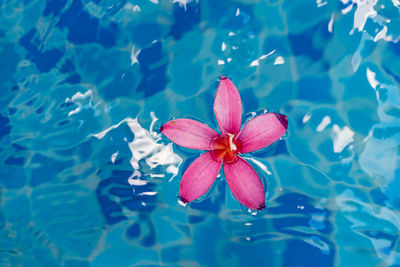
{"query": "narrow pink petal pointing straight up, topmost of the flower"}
pixel 228 107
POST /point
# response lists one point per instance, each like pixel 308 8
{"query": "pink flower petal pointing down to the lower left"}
pixel 199 177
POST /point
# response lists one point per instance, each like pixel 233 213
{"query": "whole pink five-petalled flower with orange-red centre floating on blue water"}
pixel 223 149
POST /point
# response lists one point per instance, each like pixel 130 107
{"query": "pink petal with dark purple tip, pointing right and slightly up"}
pixel 261 131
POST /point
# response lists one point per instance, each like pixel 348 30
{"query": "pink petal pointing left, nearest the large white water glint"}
pixel 189 133
